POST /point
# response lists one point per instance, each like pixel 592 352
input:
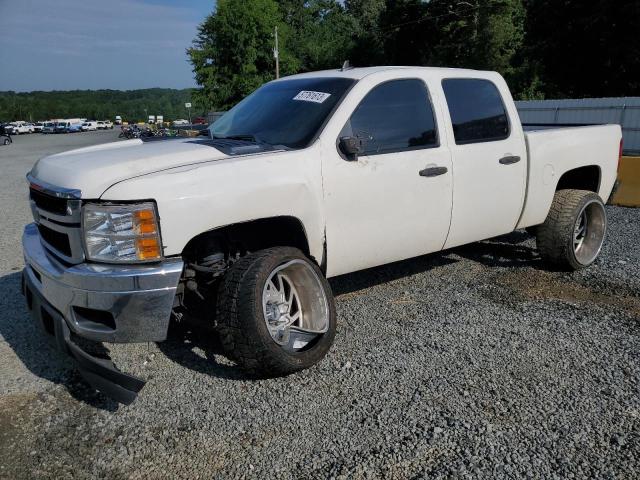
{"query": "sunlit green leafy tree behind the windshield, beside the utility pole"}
pixel 233 52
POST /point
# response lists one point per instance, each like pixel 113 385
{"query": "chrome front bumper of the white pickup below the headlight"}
pixel 139 297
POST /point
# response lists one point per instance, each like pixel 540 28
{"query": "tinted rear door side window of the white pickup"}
pixel 476 109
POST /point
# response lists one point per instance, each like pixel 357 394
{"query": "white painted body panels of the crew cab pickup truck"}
pixel 374 210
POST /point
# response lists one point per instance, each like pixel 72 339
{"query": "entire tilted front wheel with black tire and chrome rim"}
pixel 276 312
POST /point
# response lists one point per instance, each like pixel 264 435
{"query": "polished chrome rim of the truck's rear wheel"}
pixel 589 231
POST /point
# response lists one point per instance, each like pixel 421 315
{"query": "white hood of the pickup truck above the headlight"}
pixel 93 170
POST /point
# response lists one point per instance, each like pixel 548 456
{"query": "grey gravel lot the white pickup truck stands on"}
pixel 476 362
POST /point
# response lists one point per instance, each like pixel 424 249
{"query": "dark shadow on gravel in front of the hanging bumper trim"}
pixel 36 350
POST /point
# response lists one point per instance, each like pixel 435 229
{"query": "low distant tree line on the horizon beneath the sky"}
pixel 131 105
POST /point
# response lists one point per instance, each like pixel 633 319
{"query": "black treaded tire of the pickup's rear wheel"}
pixel 556 236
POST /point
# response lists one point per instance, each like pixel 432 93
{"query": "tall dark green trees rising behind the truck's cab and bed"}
pixel 544 48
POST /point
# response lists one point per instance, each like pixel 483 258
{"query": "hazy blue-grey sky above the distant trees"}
pixel 93 44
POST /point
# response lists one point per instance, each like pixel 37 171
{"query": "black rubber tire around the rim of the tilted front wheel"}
pixel 241 320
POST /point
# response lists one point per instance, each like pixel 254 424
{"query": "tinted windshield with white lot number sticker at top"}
pixel 287 112
